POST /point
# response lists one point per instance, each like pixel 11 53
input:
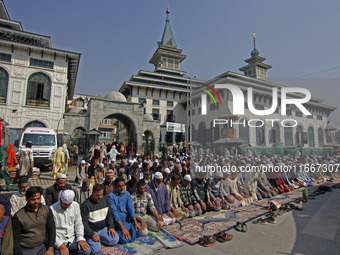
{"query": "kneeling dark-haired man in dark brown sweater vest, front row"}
pixel 32 224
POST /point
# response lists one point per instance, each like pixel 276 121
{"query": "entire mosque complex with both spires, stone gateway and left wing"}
pixel 158 107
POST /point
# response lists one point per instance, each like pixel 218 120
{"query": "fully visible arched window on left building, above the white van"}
pixel 38 90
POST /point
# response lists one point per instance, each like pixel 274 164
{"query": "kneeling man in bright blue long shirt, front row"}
pixel 124 216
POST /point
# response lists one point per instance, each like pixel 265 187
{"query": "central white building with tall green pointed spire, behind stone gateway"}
pixel 161 90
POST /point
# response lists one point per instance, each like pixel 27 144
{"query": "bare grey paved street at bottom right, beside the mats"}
pixel 315 230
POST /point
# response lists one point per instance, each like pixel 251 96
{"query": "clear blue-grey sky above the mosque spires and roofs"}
pixel 116 38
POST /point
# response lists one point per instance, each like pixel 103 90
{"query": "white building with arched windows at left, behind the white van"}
pixel 36 80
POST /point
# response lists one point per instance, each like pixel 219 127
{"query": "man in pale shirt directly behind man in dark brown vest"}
pixel 18 199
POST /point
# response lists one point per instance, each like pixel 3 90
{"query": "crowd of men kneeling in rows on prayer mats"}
pixel 118 201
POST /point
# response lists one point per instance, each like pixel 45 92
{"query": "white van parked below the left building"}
pixel 44 144
